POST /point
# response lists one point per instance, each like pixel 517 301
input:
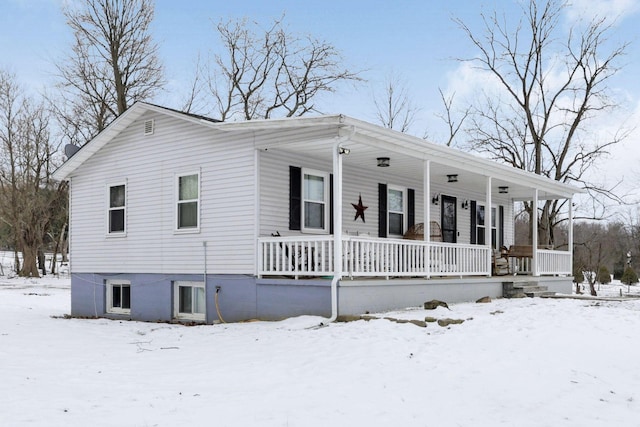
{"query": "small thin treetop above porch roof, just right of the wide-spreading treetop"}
pixel 394 107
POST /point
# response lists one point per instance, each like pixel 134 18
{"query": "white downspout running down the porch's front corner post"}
pixel 338 151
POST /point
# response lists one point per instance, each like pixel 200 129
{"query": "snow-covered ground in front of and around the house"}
pixel 524 362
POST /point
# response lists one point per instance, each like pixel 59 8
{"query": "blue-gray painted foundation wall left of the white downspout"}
pixel 239 298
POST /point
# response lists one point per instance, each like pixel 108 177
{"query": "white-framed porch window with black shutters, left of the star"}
pixel 314 197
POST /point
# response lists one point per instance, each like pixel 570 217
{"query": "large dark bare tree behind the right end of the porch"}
pixel 550 86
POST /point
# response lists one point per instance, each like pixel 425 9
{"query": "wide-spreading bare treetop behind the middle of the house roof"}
pixel 270 72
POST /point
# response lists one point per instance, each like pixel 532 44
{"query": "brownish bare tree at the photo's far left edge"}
pixel 27 160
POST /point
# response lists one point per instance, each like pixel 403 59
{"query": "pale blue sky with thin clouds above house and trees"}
pixel 417 40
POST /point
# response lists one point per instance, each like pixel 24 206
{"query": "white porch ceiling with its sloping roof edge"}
pixel 407 155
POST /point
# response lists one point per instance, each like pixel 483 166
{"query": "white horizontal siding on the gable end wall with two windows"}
pixel 227 201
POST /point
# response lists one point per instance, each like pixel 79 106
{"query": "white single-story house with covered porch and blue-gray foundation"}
pixel 178 217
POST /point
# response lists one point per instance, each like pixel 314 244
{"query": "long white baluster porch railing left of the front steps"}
pixel 370 257
